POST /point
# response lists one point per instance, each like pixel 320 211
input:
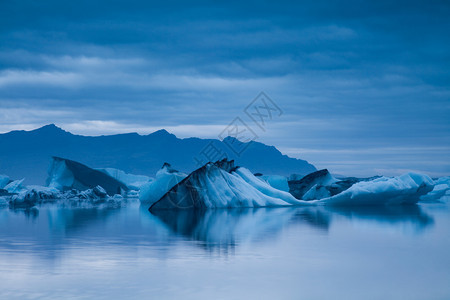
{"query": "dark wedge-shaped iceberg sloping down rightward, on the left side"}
pixel 65 174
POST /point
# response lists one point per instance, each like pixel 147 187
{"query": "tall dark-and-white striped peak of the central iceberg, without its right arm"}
pixel 222 185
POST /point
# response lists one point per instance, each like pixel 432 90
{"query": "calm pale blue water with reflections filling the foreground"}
pixel 288 253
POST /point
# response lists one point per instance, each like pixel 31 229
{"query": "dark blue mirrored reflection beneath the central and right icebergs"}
pixel 229 227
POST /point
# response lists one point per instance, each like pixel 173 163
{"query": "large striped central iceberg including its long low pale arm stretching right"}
pixel 222 185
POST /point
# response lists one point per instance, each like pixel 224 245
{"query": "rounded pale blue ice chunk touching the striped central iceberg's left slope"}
pixel 165 179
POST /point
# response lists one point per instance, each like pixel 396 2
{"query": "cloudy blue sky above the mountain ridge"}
pixel 363 87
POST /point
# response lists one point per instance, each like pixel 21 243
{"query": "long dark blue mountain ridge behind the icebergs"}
pixel 28 153
